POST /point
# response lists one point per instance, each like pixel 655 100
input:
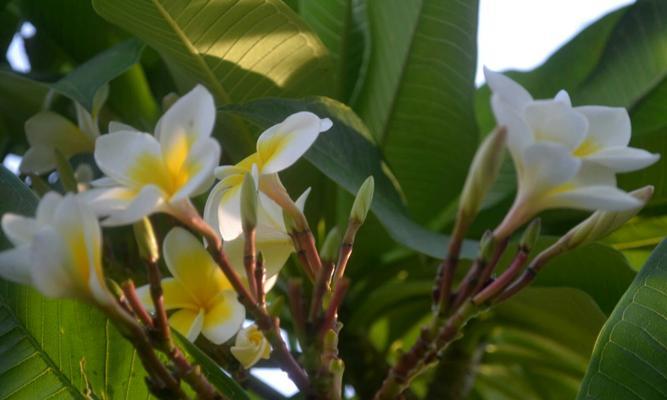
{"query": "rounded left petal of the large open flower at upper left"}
pixel 121 155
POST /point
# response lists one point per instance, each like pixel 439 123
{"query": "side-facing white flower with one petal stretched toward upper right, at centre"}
pixel 277 148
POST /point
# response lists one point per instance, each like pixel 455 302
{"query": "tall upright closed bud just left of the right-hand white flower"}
pixel 482 173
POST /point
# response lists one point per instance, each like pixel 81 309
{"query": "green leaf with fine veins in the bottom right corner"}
pixel 630 361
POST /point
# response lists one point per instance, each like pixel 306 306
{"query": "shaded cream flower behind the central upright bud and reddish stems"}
pixel 271 238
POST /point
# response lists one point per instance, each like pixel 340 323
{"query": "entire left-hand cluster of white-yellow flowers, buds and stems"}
pixel 221 263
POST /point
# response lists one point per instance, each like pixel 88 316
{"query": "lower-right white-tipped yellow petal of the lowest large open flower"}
pixel 224 319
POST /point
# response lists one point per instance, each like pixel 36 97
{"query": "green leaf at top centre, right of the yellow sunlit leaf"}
pixel 342 26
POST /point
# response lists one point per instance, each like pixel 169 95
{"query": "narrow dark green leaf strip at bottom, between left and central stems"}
pixel 212 370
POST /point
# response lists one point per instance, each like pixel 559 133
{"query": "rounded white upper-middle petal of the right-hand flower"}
pixel 556 122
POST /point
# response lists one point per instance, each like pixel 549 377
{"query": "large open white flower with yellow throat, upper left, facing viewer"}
pixel 147 174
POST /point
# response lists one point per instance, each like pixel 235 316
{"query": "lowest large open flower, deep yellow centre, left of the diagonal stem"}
pixel 199 292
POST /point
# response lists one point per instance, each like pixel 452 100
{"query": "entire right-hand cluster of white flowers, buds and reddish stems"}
pixel 564 157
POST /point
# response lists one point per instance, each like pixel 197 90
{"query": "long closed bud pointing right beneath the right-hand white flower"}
pixel 602 223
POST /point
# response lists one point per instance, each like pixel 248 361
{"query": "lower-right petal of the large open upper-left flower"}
pixel 200 165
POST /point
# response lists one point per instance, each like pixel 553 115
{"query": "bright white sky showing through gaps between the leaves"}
pixel 513 34
